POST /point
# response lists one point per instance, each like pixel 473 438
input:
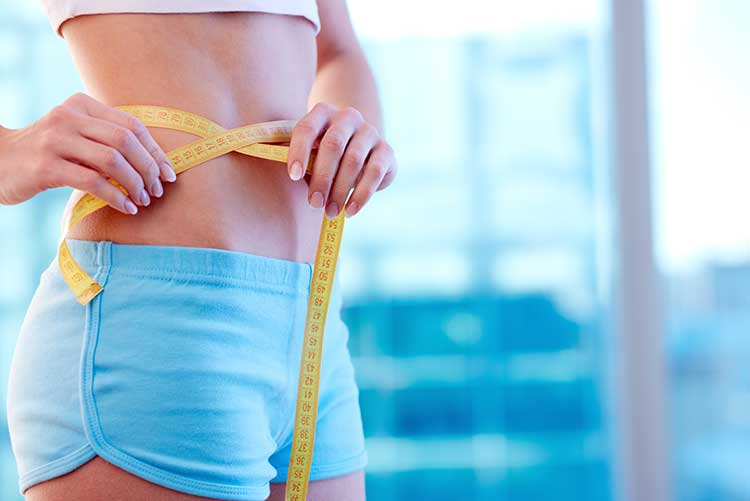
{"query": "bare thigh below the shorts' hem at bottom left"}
pixel 99 479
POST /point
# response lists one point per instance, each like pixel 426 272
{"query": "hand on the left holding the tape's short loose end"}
pixel 81 143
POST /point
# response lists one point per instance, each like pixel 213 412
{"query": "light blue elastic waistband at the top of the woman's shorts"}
pixel 209 262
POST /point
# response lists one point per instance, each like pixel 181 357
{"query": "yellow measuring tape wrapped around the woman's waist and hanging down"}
pixel 250 140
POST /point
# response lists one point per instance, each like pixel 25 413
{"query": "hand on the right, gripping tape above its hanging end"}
pixel 351 154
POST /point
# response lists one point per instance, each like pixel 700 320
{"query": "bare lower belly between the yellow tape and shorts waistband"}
pixel 237 204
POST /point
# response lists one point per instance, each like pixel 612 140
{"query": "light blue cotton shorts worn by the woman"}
pixel 183 371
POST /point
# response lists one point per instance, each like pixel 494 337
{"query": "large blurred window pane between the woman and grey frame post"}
pixel 472 283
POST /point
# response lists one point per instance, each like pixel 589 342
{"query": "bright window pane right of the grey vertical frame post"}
pixel 700 110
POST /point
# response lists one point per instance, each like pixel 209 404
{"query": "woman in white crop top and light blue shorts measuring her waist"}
pixel 179 380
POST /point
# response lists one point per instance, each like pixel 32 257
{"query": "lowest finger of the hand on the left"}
pixel 67 173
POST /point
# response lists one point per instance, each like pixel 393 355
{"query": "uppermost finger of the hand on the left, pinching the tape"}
pixel 100 110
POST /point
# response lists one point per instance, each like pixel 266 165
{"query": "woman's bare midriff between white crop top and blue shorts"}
pixel 235 68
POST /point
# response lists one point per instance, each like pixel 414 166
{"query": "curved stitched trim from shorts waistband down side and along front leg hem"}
pixel 92 423
